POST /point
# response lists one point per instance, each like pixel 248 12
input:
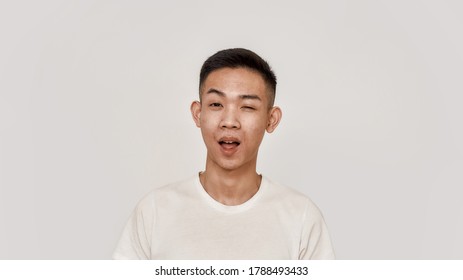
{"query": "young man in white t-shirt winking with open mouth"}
pixel 228 211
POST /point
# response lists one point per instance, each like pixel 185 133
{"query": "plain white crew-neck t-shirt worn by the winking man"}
pixel 181 221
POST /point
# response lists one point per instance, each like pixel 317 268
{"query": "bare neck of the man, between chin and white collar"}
pixel 230 187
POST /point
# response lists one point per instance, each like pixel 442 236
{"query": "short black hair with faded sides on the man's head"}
pixel 239 58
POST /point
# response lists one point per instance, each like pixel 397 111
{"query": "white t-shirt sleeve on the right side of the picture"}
pixel 315 239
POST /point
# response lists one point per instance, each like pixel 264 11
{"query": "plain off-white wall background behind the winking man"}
pixel 94 112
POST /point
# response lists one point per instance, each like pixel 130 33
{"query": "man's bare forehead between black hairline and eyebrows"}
pixel 235 80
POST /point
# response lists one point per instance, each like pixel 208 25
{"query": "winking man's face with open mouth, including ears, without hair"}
pixel 233 116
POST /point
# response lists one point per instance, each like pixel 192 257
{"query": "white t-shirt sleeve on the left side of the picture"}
pixel 135 242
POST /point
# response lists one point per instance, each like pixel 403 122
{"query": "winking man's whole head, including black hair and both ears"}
pixel 236 109
